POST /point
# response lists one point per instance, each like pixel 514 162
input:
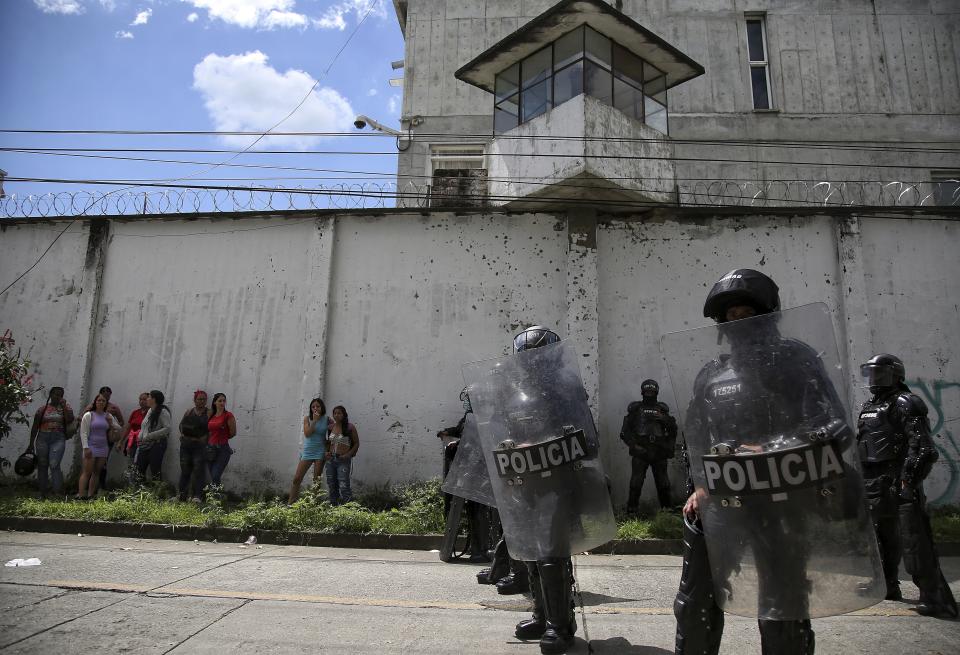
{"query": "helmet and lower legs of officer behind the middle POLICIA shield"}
pixel 551 580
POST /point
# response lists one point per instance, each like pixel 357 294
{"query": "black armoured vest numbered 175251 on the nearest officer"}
pixel 744 406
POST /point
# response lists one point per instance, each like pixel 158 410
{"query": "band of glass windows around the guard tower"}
pixel 580 61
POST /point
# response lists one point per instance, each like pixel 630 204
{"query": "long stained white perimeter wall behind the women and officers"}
pixel 377 311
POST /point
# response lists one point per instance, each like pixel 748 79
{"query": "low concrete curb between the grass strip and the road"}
pixel 235 535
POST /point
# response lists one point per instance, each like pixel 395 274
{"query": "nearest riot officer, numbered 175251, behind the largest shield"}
pixel 766 385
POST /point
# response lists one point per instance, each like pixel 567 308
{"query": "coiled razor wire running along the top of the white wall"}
pixel 420 194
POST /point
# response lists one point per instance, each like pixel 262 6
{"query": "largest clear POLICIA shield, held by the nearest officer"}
pixel 774 462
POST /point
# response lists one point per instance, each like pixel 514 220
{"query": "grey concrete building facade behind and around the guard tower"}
pixel 844 79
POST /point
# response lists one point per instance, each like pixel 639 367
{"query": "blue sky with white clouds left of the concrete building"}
pixel 194 65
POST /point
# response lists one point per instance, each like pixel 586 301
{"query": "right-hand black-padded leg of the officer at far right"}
pixel 920 557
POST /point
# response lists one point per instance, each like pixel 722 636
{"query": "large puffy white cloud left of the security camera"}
pixel 244 93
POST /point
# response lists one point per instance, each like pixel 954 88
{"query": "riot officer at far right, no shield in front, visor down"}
pixel 897 452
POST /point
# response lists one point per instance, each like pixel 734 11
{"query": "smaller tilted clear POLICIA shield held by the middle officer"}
pixel 542 452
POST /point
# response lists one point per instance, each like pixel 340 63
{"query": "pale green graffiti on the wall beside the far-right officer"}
pixel 943 400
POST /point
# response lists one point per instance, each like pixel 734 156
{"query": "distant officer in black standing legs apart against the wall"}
pixel 651 435
